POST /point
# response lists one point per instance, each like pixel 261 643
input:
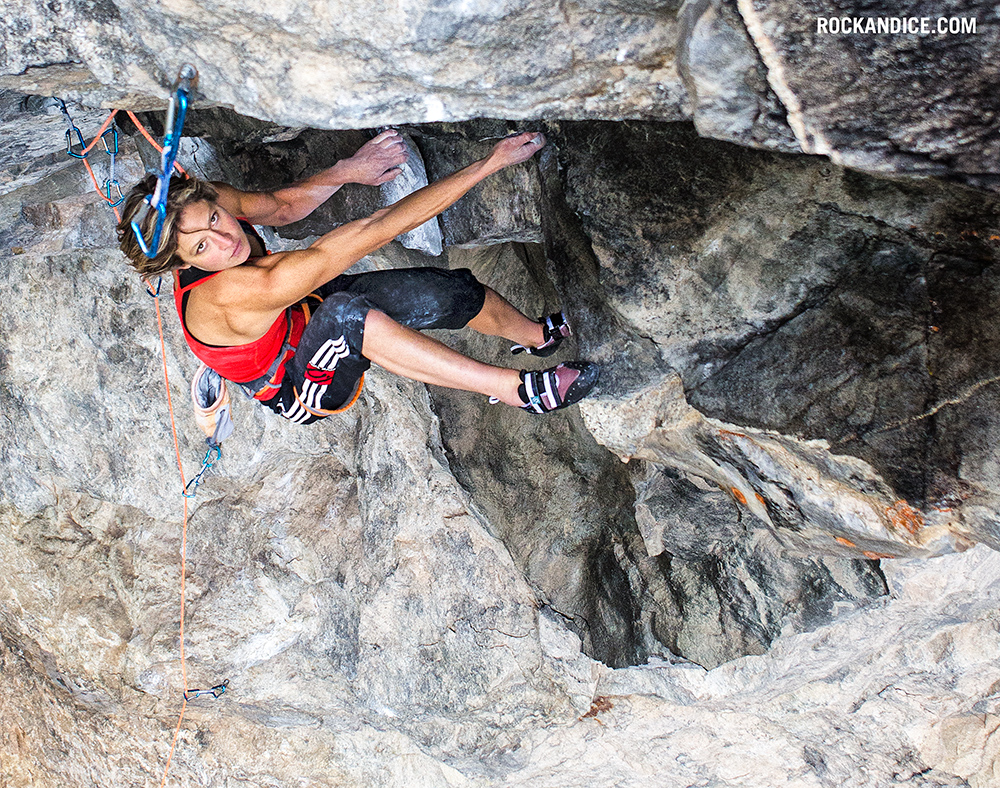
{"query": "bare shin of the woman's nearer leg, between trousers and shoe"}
pixel 409 353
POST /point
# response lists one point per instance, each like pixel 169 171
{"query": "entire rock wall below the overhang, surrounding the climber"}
pixel 398 600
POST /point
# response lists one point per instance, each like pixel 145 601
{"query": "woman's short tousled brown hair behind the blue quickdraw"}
pixel 183 191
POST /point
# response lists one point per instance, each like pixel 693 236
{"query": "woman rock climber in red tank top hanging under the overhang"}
pixel 298 333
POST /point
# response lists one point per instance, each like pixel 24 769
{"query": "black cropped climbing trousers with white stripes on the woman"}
pixel 324 376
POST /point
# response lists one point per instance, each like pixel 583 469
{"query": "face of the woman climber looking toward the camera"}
pixel 210 238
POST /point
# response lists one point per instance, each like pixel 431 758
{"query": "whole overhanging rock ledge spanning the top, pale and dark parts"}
pixel 757 72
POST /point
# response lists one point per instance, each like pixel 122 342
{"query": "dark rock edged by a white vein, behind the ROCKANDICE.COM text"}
pixel 913 102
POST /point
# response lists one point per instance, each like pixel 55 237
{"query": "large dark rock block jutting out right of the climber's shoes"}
pixel 720 262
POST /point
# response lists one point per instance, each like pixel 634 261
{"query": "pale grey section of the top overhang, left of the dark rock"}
pixel 365 66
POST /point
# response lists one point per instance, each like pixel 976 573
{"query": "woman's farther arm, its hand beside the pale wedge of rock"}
pixel 377 161
